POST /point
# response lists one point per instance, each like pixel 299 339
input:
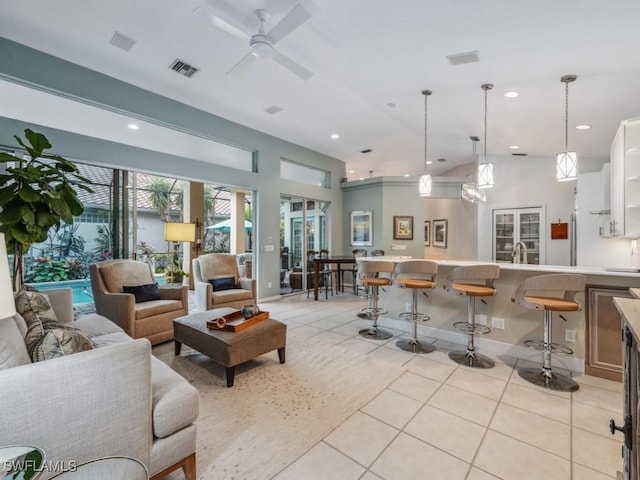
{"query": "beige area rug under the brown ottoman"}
pixel 275 413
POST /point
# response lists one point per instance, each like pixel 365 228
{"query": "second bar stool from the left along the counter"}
pixel 422 276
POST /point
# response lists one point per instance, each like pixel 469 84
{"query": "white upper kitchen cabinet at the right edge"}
pixel 625 181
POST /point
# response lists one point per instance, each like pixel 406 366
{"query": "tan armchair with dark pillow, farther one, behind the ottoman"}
pixel 218 283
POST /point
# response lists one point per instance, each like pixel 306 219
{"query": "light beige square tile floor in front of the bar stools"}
pixel 443 421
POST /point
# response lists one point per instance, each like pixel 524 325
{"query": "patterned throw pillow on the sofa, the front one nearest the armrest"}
pixel 57 340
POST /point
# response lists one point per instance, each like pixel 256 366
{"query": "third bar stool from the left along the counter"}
pixel 464 281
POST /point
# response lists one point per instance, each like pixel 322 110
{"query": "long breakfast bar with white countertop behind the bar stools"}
pixel 518 324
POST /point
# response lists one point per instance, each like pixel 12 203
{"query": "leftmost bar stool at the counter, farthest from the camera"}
pixel 369 274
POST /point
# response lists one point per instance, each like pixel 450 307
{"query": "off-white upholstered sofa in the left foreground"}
pixel 114 400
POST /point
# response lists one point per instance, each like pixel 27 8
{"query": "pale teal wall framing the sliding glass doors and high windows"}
pixel 26 66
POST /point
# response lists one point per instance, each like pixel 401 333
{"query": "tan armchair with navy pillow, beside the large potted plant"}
pixel 143 313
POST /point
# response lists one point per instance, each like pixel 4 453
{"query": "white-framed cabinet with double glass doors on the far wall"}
pixel 511 226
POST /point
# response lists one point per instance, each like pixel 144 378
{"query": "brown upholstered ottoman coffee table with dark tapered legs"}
pixel 229 348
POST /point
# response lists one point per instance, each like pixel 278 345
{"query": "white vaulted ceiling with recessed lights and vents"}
pixel 366 54
